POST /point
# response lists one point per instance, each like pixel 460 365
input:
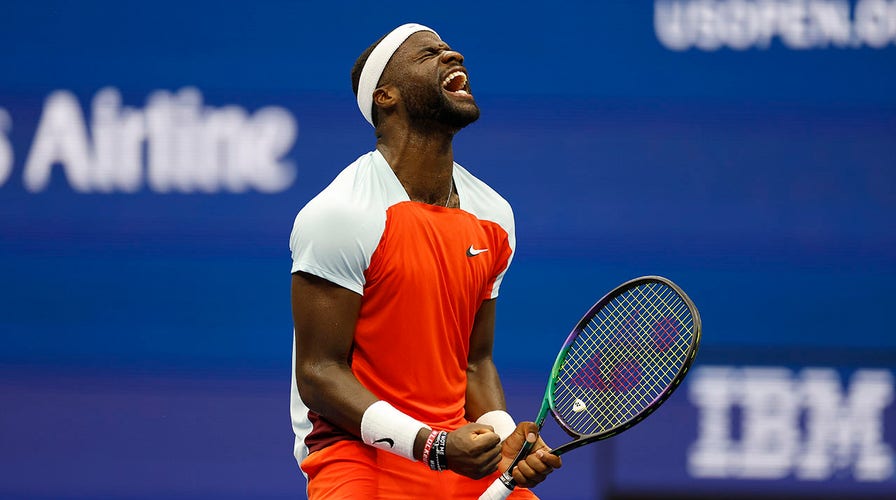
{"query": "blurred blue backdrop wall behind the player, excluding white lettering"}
pixel 146 334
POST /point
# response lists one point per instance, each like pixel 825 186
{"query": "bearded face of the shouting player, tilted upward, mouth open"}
pixel 433 82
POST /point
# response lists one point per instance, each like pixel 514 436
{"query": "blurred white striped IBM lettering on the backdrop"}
pixel 776 423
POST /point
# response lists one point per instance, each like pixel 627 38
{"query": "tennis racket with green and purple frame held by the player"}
pixel 625 357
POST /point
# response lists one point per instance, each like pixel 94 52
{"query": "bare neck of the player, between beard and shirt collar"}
pixel 422 159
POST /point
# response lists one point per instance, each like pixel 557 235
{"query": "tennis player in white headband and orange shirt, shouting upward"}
pixel 396 268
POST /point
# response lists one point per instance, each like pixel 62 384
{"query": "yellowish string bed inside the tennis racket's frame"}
pixel 626 356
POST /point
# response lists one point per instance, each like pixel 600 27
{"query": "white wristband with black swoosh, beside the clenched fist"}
pixel 384 427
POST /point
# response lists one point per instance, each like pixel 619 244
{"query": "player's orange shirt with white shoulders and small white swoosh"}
pixel 422 271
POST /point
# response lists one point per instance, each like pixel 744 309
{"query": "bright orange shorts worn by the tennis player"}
pixel 351 469
